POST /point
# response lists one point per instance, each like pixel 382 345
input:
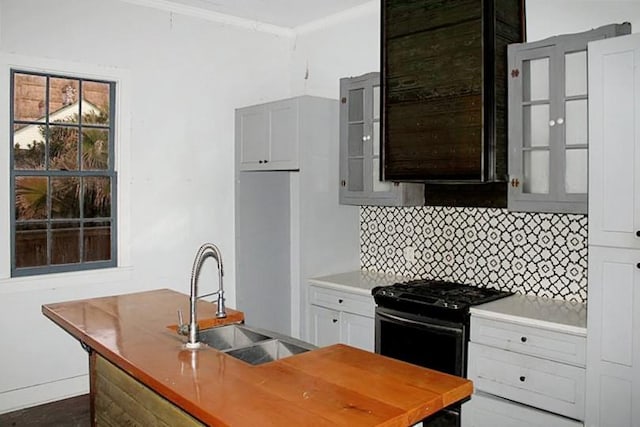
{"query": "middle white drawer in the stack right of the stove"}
pixel 544 384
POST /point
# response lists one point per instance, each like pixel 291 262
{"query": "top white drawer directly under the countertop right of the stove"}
pixel 529 340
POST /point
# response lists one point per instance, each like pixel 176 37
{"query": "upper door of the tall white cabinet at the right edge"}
pixel 614 142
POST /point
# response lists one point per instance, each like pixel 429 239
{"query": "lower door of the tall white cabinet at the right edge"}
pixel 613 341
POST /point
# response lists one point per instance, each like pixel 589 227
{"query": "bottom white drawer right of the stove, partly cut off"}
pixel 489 411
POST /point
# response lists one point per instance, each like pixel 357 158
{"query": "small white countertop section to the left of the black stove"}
pixel 359 281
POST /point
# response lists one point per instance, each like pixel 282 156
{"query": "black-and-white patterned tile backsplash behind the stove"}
pixel 529 253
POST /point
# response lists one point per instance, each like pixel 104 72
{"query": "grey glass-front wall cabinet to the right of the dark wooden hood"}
pixel 548 122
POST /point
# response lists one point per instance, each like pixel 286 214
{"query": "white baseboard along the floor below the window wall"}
pixel 43 393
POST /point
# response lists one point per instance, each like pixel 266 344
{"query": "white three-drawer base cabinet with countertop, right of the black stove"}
pixel 527 362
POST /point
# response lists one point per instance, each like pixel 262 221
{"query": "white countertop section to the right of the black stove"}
pixel 547 313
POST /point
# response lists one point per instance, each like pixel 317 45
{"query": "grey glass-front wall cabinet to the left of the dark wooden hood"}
pixel 360 182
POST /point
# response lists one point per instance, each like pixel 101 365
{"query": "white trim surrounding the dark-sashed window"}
pixel 122 166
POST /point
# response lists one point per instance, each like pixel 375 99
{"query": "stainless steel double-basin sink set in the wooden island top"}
pixel 252 345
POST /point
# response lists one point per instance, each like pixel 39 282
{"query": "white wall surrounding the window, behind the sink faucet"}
pixel 186 76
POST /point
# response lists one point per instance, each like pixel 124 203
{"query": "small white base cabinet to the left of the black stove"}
pixel 341 317
